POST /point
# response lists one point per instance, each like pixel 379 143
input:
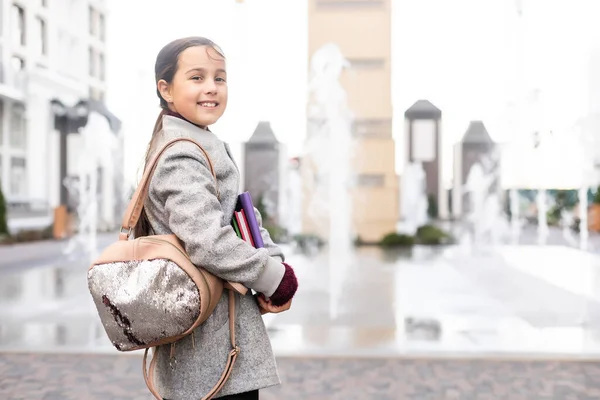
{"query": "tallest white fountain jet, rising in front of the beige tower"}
pixel 329 147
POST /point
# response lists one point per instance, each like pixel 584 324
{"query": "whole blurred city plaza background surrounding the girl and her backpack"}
pixel 431 169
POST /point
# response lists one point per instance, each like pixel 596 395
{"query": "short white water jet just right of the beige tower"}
pixel 413 203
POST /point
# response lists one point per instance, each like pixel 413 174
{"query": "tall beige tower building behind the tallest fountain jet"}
pixel 362 31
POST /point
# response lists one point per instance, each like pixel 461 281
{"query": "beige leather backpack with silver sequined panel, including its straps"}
pixel 148 292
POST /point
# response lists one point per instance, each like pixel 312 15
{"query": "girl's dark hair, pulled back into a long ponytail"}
pixel 167 62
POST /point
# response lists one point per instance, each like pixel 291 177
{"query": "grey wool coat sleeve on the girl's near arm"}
pixel 183 183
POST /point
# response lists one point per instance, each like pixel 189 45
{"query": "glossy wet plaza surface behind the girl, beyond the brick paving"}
pixel 456 301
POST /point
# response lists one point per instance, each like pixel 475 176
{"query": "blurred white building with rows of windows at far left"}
pixel 49 50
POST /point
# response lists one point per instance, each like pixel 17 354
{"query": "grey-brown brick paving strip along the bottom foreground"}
pixel 70 377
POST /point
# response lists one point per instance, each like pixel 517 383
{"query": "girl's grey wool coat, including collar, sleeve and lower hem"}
pixel 183 200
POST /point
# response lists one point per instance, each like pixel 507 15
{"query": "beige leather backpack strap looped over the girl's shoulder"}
pixel 134 209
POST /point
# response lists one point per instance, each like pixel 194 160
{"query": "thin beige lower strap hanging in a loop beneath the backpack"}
pixel 231 358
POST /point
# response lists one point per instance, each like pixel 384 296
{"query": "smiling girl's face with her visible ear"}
pixel 199 88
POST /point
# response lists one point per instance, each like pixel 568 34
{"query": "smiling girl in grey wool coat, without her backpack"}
pixel 191 83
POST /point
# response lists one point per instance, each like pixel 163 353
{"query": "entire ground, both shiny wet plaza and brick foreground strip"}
pixel 505 322
